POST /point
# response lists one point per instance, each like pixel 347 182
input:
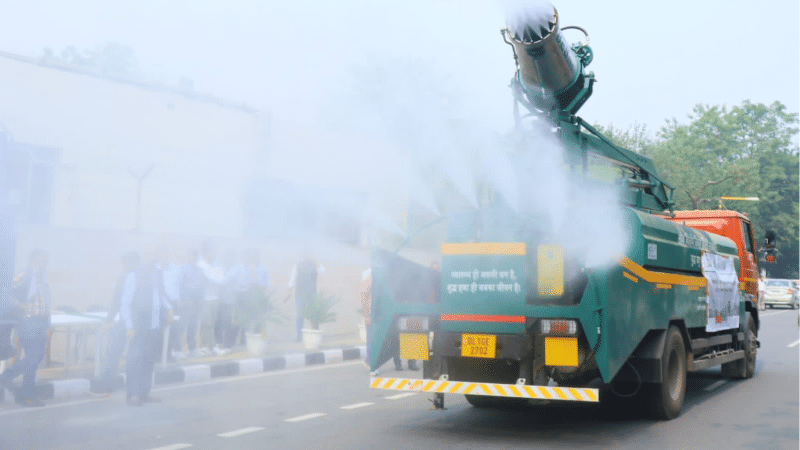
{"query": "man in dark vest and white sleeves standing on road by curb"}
pixel 142 304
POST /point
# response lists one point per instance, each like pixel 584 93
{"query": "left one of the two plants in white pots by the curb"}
pixel 254 311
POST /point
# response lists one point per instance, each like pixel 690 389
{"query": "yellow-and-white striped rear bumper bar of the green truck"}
pixel 488 389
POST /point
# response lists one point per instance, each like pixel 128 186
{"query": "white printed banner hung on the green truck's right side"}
pixel 723 292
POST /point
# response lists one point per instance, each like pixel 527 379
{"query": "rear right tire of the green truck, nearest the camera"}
pixel 666 398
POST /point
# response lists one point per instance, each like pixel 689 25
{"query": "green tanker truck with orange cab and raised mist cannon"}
pixel 514 311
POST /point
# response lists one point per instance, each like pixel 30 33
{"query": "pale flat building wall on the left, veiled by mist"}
pixel 108 131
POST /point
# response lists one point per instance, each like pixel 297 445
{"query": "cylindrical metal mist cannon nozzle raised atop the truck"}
pixel 550 73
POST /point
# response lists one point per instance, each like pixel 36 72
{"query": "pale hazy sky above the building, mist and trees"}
pixel 652 60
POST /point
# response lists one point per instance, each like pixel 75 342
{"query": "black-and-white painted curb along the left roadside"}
pixel 65 389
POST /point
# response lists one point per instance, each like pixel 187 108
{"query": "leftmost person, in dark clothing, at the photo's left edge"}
pixel 30 294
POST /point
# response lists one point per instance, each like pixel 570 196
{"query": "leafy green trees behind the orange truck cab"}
pixel 749 150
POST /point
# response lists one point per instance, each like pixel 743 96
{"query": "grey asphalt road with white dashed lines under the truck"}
pixel 332 407
